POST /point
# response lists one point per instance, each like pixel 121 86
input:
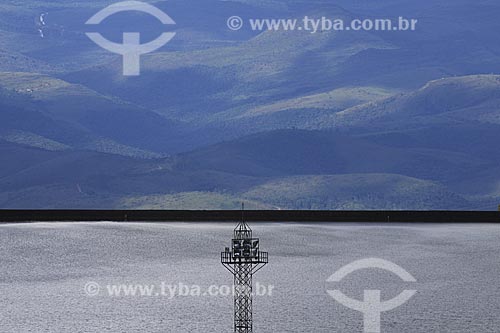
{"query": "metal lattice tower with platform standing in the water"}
pixel 243 260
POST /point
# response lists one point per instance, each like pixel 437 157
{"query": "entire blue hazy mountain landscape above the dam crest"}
pixel 332 120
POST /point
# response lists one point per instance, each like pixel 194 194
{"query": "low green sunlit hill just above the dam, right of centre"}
pixel 356 192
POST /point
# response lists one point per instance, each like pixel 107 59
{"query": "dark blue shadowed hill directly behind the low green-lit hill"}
pixel 295 152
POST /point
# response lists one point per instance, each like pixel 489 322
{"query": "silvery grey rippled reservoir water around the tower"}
pixel 44 268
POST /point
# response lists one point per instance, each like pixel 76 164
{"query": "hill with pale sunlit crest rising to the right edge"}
pixel 452 100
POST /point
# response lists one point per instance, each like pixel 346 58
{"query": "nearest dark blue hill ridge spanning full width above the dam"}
pixel 292 165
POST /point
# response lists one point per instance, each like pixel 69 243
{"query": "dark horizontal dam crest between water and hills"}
pixel 250 215
